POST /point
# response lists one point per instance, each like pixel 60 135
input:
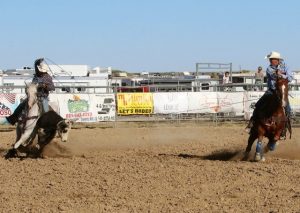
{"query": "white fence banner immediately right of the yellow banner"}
pixel 170 102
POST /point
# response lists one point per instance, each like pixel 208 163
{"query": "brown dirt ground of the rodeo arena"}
pixel 156 168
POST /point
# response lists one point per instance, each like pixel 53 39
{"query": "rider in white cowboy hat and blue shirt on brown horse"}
pixel 276 65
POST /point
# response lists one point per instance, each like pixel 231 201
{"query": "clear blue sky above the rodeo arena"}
pixel 149 35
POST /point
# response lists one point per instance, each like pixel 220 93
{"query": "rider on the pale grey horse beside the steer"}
pixel 45 84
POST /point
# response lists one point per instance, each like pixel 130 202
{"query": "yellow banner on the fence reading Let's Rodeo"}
pixel 135 103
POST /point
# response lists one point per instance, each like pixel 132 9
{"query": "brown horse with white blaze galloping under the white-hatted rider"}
pixel 271 121
